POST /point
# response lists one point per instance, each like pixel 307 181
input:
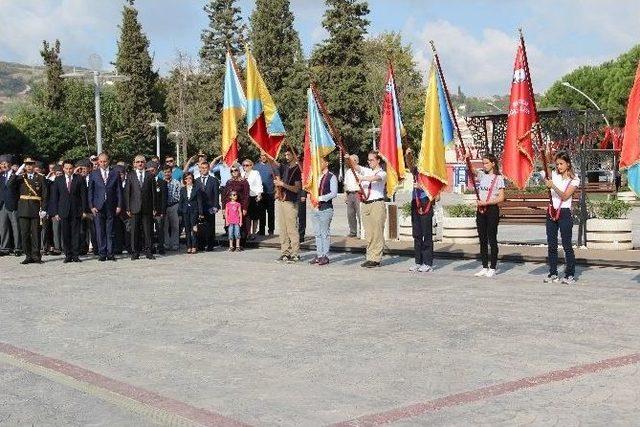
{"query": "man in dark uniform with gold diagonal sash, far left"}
pixel 33 194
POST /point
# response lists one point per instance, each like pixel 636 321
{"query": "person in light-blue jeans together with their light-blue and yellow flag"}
pixel 320 184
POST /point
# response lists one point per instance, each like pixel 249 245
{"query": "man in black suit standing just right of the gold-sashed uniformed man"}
pixel 67 205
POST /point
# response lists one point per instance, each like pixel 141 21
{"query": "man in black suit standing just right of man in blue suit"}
pixel 140 204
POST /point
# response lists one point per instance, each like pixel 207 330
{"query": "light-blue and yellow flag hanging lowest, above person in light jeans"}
pixel 318 143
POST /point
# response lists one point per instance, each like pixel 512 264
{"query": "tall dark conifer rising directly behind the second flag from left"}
pixel 276 46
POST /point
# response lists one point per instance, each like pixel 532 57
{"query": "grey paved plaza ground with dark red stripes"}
pixel 221 338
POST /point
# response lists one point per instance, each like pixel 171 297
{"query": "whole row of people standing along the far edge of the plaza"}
pixel 95 206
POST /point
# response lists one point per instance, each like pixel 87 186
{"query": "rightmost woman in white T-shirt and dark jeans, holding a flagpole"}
pixel 563 184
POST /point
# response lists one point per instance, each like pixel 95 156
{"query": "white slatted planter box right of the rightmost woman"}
pixel 612 234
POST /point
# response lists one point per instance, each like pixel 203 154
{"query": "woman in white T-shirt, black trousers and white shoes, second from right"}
pixel 491 191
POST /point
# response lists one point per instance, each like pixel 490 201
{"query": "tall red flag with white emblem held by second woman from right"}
pixel 518 156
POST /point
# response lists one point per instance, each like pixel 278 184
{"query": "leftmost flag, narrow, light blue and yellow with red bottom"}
pixel 234 108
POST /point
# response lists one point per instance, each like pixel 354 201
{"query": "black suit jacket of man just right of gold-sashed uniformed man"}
pixel 68 204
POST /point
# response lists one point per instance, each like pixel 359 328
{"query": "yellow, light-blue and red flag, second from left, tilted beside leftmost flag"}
pixel 263 121
